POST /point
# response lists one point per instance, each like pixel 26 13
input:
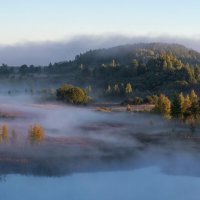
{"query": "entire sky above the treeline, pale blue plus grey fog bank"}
pixel 43 31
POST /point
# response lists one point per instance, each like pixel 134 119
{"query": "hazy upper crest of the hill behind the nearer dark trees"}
pixel 142 52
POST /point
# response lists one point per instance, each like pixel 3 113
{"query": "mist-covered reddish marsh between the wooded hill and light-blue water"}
pixel 85 140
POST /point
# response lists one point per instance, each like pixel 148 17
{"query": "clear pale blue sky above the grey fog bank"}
pixel 52 20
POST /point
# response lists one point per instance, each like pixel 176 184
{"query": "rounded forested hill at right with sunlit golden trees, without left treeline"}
pixel 149 68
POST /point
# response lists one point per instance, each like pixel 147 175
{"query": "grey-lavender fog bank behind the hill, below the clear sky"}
pixel 42 53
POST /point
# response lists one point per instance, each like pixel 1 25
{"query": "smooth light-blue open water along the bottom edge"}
pixel 141 184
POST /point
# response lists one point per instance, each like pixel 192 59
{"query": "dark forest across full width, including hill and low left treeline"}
pixel 138 69
